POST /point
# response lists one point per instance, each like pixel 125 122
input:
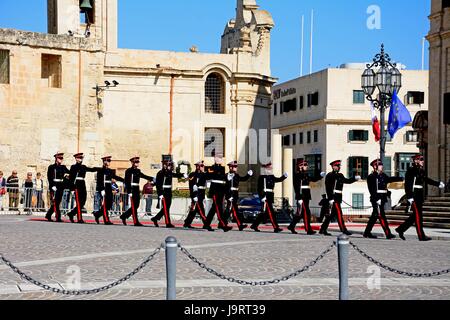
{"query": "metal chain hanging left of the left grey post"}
pixel 80 292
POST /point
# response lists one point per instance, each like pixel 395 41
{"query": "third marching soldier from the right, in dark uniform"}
pixel 334 183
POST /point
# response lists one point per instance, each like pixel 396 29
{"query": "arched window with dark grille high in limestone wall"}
pixel 214 94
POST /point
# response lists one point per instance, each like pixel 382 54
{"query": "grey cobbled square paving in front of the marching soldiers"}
pixel 49 252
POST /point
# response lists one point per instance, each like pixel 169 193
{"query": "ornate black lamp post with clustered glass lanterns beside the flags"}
pixel 383 75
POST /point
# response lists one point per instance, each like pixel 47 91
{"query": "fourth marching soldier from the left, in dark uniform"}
pixel 133 176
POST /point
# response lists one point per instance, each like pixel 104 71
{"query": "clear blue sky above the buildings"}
pixel 341 34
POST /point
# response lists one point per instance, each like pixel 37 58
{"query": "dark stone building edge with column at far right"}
pixel 438 119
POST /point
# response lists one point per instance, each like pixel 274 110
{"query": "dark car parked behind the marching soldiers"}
pixel 251 207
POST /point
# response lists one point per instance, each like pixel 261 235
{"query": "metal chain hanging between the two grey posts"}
pixel 257 283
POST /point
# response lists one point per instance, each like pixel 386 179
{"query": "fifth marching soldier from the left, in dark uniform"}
pixel 164 189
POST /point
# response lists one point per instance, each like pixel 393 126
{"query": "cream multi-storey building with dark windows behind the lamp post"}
pixel 325 117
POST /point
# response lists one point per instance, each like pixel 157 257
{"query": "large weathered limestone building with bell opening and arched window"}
pixel 53 95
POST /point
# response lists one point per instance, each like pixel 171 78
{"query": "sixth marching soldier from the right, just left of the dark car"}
pixel 232 193
